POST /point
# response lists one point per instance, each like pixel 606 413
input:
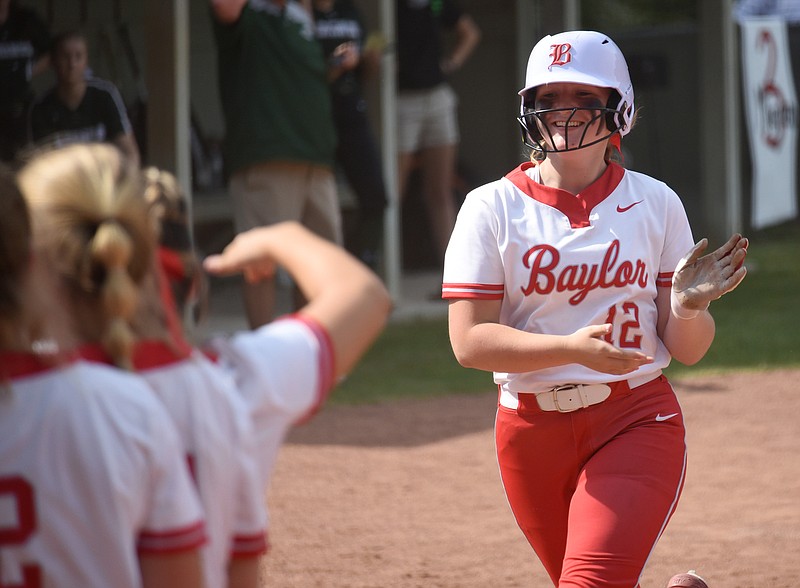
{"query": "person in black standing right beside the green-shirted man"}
pixel 352 58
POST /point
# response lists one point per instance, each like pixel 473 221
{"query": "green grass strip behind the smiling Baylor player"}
pixel 758 327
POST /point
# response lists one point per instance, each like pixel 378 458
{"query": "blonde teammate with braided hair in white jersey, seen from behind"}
pixel 212 421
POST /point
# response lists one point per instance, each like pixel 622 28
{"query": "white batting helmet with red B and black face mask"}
pixel 578 57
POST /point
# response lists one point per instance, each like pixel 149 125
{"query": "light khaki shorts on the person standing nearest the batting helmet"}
pixel 427 118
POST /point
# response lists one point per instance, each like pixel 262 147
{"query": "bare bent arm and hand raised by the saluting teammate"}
pixel 344 296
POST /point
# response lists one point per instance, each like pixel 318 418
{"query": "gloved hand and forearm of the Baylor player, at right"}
pixel 685 325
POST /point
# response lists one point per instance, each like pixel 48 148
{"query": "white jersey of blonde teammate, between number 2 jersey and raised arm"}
pixel 218 438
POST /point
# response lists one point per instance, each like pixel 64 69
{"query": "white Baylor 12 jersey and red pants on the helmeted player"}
pixel 586 485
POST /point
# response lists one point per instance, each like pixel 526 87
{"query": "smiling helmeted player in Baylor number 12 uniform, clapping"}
pixel 570 280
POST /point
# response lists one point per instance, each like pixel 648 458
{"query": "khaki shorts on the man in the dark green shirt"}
pixel 268 193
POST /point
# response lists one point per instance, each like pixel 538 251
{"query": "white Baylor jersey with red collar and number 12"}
pixel 560 262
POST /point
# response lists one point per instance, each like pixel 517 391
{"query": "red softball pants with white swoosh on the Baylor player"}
pixel 593 489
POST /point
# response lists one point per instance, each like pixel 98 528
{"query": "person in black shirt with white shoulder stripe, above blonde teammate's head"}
pixel 80 108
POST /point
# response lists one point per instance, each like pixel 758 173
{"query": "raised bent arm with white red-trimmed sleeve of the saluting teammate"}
pixel 286 369
